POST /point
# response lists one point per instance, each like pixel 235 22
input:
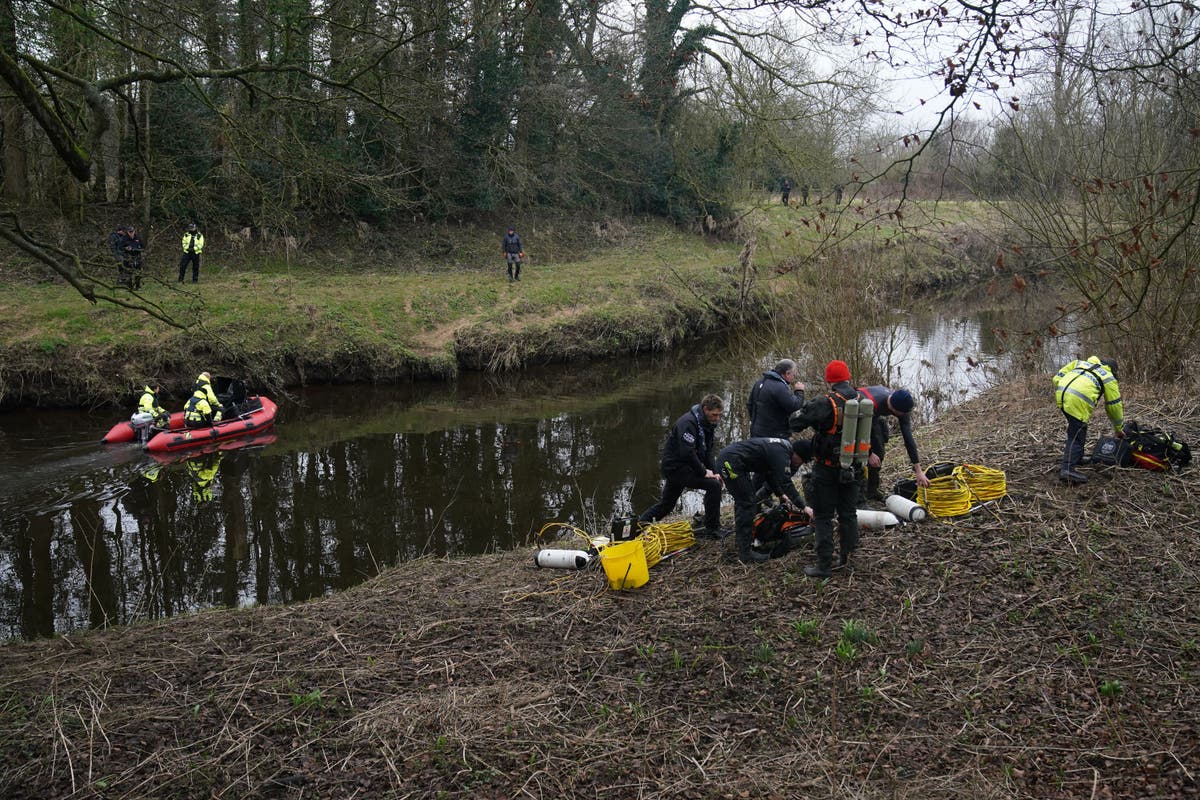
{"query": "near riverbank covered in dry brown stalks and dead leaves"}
pixel 1046 647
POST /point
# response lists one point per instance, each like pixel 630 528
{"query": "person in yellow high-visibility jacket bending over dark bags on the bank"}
pixel 1078 388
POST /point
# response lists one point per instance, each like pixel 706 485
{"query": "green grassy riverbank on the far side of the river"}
pixel 431 303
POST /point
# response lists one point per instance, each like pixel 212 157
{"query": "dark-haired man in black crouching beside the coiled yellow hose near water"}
pixel 688 465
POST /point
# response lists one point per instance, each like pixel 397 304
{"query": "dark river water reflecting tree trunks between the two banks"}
pixel 355 479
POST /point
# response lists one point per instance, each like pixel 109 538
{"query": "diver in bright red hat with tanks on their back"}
pixel 835 490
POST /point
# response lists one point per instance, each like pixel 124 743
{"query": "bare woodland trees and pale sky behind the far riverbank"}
pixel 287 122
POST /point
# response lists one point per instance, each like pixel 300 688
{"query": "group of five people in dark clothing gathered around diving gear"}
pixel 765 464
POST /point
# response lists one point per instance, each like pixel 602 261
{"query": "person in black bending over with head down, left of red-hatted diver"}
pixel 771 458
